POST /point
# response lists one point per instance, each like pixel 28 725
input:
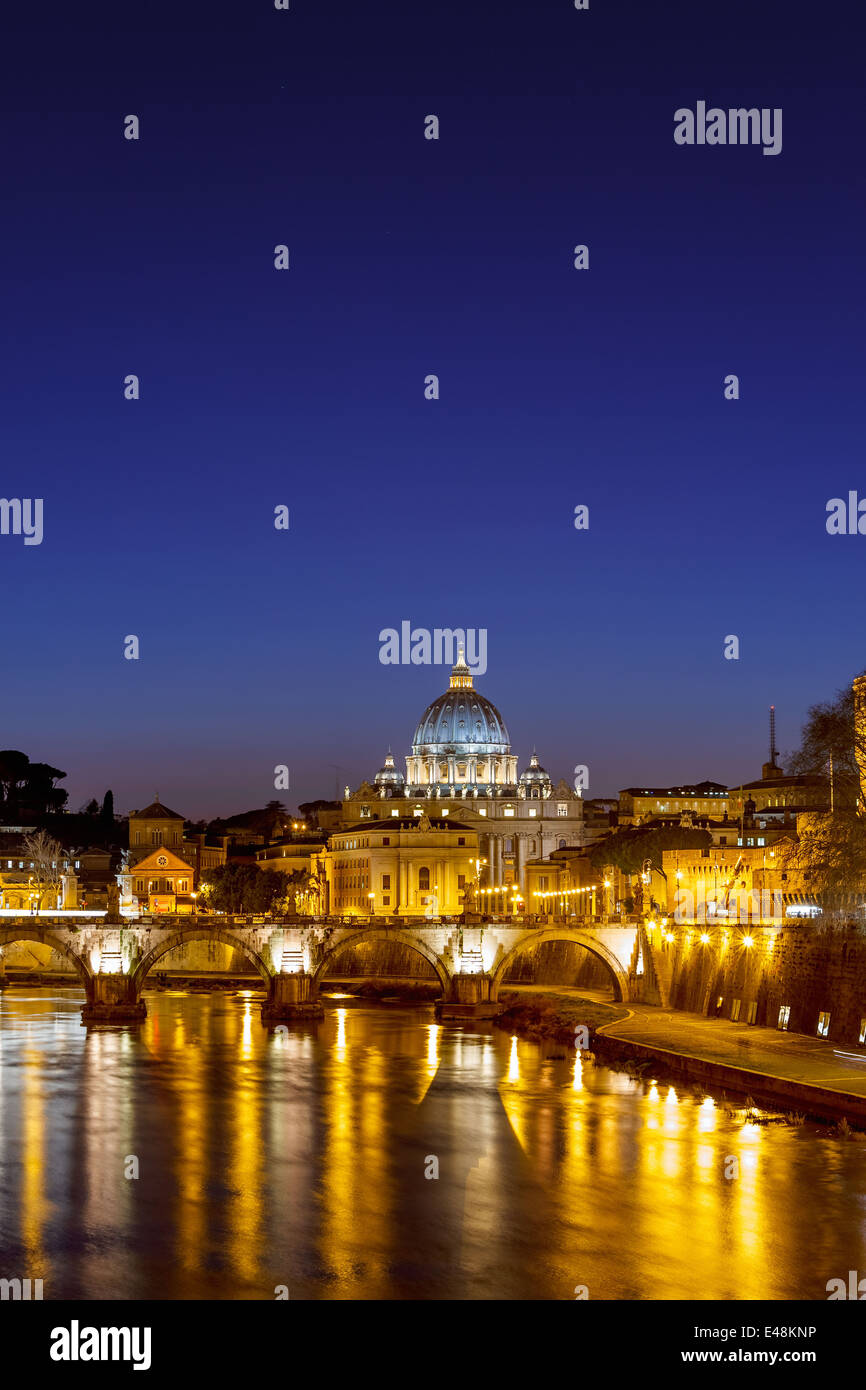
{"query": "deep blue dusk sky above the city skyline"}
pixel 307 387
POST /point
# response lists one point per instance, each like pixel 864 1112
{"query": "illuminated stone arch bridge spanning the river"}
pixel 113 960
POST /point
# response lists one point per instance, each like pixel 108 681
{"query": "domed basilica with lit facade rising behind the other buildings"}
pixel 461 765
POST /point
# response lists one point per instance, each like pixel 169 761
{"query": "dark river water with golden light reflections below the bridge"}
pixel 300 1160
